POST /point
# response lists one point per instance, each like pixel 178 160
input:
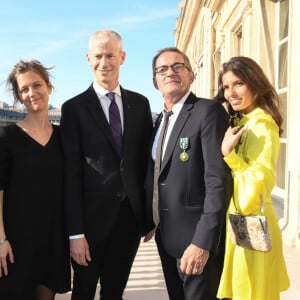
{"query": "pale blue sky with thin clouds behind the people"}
pixel 57 33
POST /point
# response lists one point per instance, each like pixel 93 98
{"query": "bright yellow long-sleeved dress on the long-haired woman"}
pixel 248 274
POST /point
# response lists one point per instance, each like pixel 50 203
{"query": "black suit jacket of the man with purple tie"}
pixel 96 175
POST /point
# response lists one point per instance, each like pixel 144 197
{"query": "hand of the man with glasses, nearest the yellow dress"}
pixel 193 260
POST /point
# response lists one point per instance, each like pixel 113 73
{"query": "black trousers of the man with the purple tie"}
pixel 112 259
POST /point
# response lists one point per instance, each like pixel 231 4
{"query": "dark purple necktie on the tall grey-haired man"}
pixel 115 121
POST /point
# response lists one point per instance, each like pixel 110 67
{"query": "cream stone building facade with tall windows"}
pixel 212 31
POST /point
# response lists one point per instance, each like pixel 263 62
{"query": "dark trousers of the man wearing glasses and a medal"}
pixel 189 287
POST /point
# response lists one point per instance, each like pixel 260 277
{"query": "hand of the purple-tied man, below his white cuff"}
pixel 79 251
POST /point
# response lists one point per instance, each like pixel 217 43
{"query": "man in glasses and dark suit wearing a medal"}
pixel 192 183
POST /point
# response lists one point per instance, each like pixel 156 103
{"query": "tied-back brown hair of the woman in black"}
pixel 22 67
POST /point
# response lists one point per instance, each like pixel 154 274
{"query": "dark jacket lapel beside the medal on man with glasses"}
pixel 179 124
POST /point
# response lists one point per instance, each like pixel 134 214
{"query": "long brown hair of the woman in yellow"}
pixel 249 71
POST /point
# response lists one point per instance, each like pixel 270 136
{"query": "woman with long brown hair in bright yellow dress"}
pixel 250 148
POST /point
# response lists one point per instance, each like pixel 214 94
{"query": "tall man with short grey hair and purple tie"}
pixel 104 137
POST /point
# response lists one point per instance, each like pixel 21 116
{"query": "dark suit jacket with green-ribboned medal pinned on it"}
pixel 193 195
